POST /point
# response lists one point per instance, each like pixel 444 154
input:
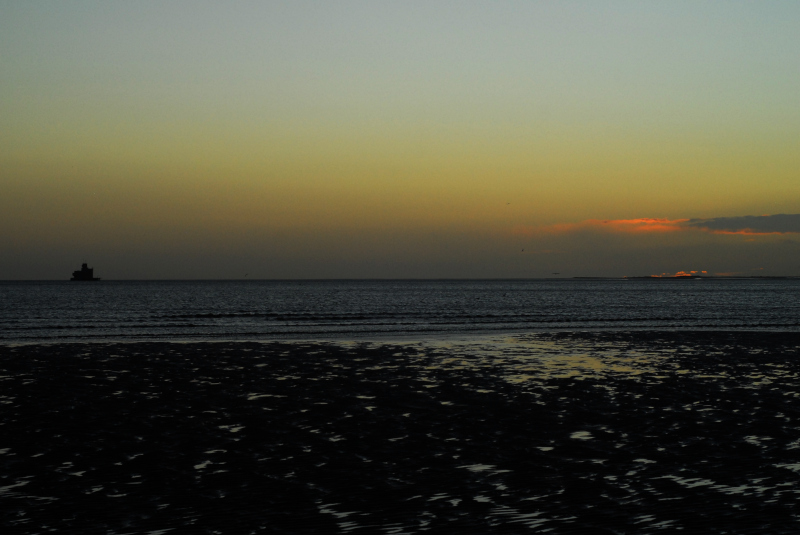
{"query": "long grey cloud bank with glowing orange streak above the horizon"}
pixel 743 225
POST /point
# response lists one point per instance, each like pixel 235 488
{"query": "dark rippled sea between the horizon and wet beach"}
pixel 257 310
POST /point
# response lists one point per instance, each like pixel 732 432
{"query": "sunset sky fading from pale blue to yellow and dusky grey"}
pixel 399 139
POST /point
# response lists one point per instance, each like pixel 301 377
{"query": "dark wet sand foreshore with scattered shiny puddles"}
pixel 557 433
